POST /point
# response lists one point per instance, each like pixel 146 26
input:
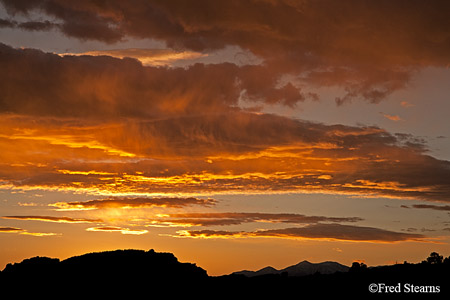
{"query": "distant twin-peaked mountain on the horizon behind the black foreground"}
pixel 301 269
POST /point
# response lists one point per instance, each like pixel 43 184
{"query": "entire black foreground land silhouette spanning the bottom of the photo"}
pixel 147 274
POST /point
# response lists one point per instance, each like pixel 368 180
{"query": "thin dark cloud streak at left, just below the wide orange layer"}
pixel 133 203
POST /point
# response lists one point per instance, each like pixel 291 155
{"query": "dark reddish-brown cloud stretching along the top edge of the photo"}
pixel 263 26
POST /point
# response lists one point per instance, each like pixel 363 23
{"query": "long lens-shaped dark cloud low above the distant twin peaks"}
pixel 316 231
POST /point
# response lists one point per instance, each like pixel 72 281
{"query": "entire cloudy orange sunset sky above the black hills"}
pixel 234 134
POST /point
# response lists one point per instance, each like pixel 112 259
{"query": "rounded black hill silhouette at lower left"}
pixel 105 273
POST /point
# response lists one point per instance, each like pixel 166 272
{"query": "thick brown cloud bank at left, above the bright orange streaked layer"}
pixel 91 87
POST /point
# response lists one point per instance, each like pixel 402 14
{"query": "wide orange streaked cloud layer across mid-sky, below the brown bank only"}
pixel 233 153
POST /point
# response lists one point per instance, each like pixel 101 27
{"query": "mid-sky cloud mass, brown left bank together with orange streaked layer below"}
pixel 109 126
